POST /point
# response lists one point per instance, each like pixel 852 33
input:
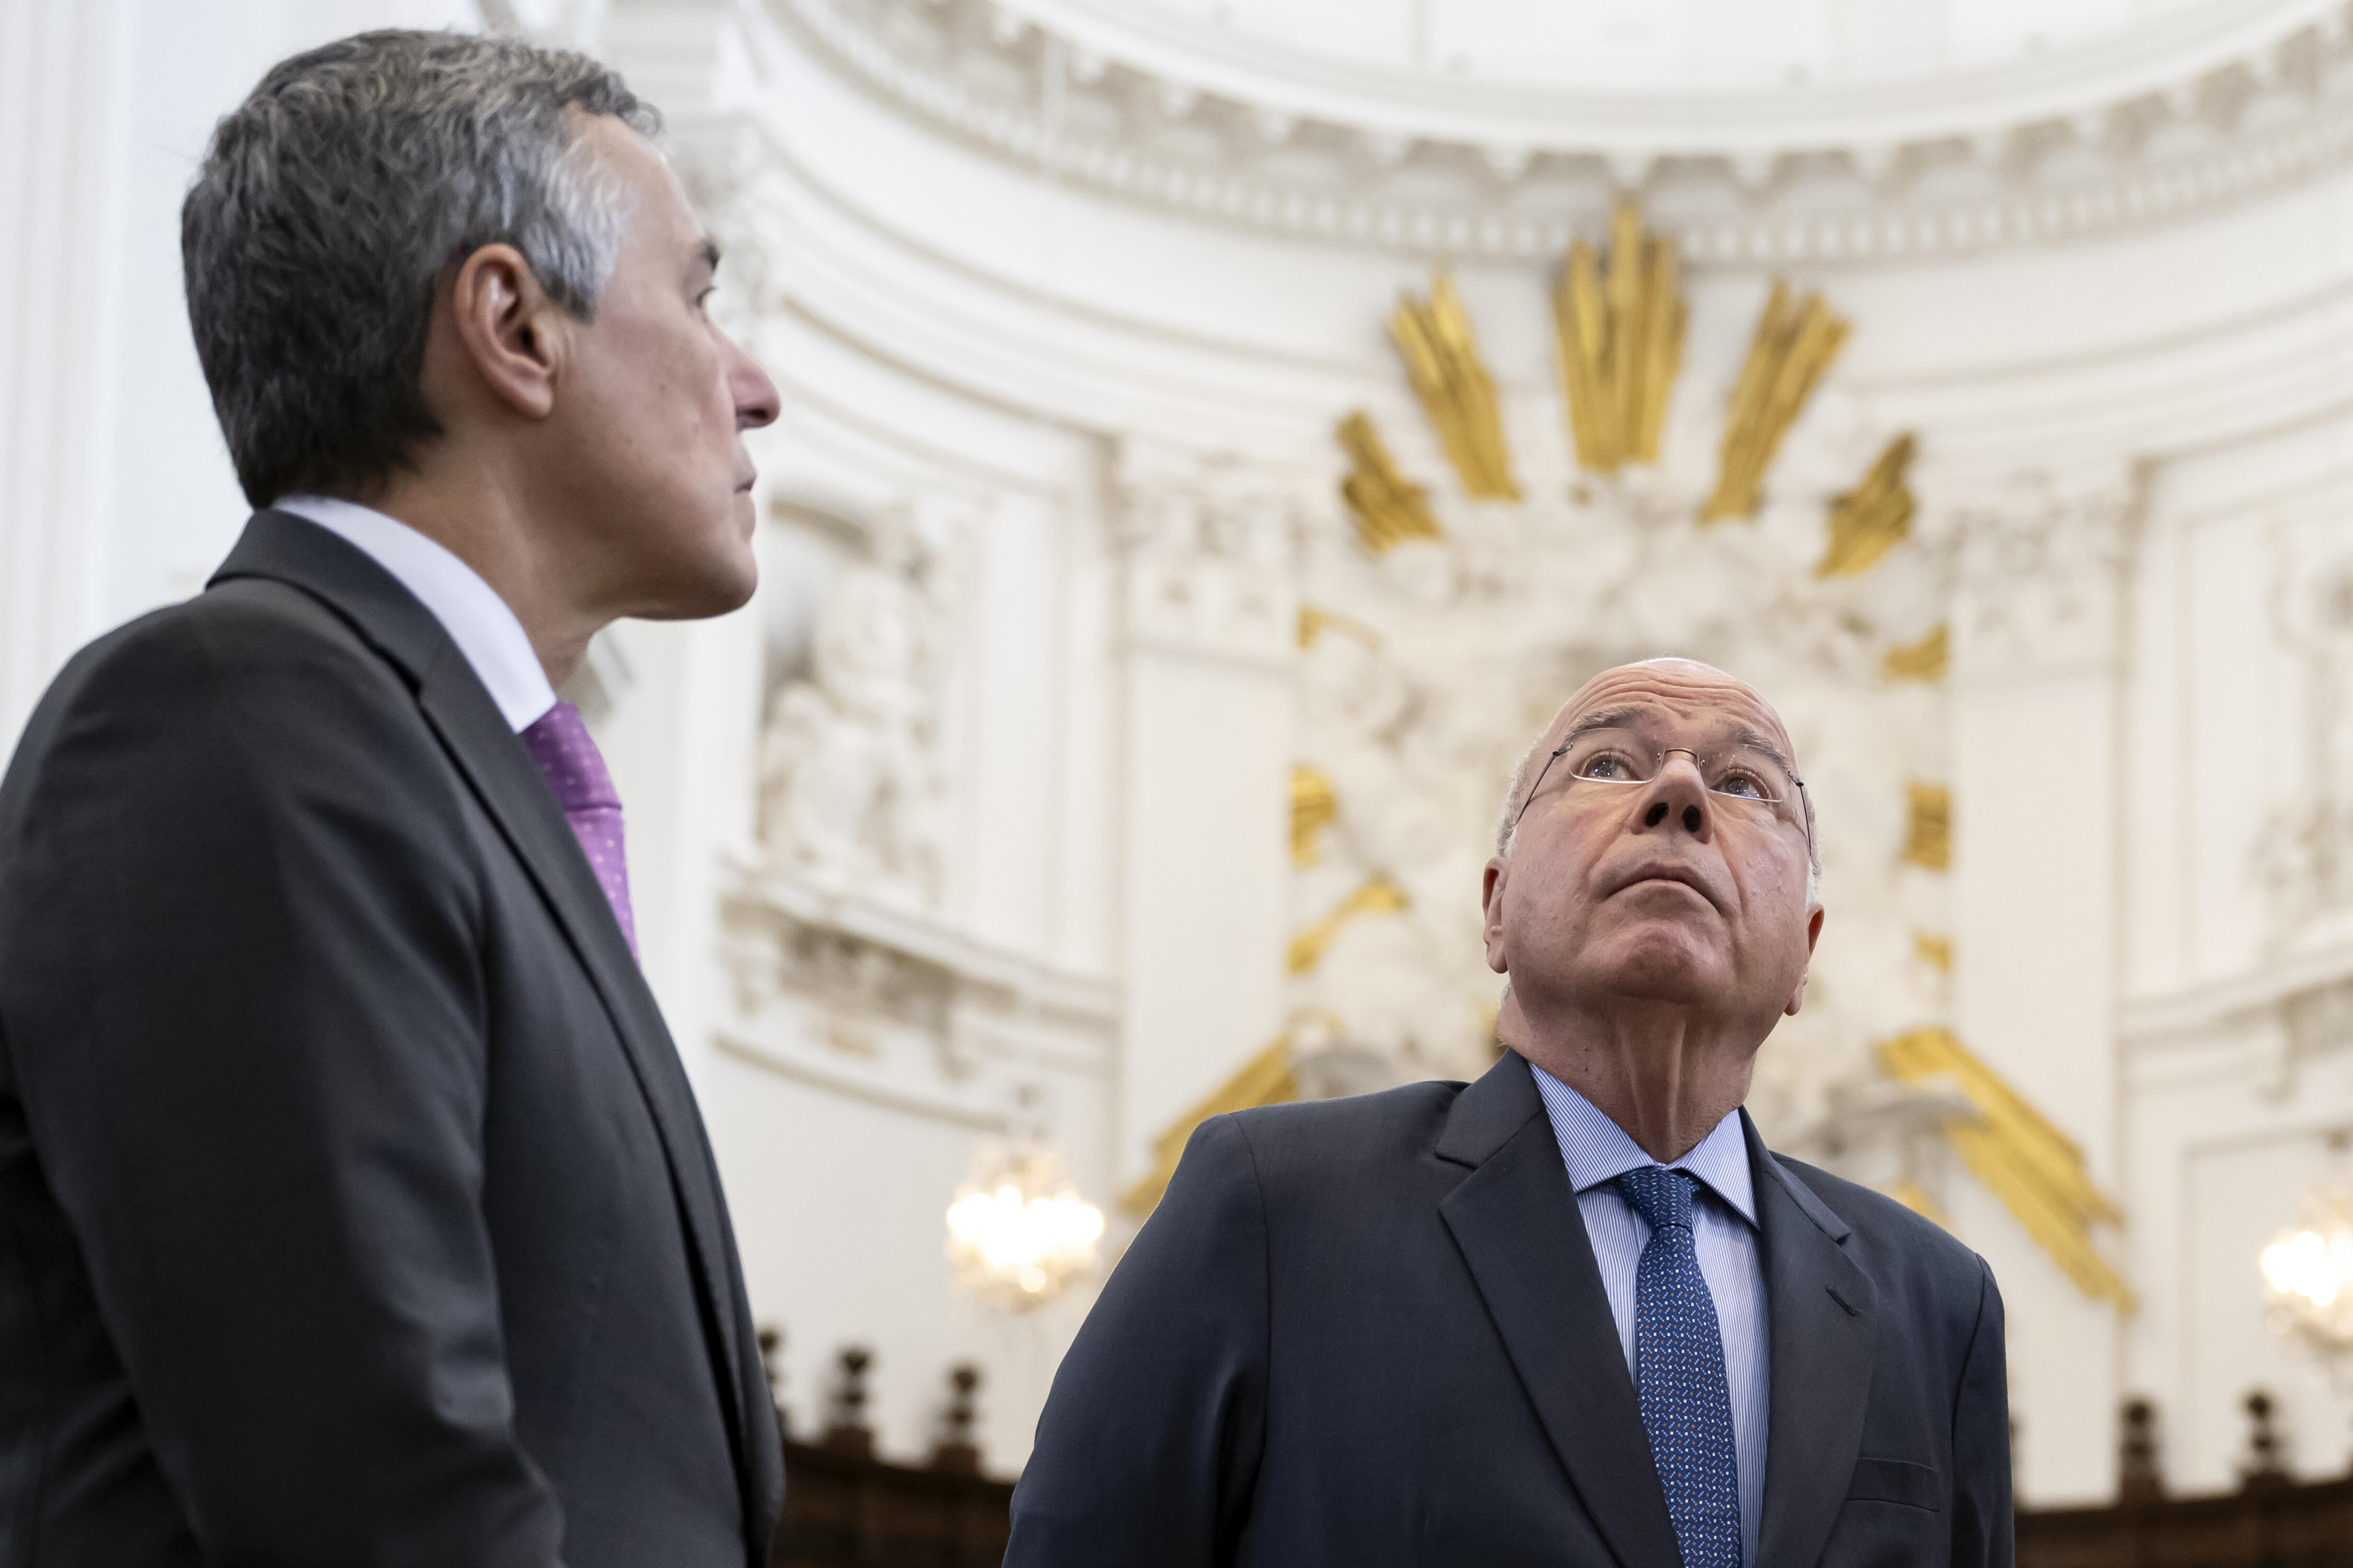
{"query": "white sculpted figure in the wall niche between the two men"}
pixel 853 786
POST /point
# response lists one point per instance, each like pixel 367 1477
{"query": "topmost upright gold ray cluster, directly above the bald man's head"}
pixel 1620 344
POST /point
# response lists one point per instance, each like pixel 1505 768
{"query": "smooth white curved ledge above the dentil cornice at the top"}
pixel 1540 91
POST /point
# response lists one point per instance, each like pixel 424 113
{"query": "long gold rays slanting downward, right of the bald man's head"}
pixel 2022 1158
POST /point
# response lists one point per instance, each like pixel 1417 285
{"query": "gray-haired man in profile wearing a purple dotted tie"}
pixel 356 1202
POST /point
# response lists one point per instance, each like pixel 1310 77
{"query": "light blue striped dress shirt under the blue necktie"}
pixel 1724 1233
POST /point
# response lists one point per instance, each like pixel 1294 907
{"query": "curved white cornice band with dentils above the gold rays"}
pixel 2251 119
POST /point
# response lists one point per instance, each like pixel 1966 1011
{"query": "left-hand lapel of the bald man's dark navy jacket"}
pixel 1519 1228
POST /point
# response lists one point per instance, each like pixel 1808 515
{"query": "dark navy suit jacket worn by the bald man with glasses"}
pixel 1371 1334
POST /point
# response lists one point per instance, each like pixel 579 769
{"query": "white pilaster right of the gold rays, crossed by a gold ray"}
pixel 2037 831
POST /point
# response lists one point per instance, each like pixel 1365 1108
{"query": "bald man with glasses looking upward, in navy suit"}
pixel 1573 1313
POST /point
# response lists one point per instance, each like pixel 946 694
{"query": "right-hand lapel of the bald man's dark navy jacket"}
pixel 1822 1325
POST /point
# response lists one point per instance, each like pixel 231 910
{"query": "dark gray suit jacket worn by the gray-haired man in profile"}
pixel 354 1205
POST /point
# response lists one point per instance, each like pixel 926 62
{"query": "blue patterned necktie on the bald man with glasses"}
pixel 1679 1358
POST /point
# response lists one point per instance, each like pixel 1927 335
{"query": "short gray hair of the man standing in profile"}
pixel 333 201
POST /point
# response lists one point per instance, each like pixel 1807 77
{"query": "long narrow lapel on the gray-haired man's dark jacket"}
pixel 519 800
